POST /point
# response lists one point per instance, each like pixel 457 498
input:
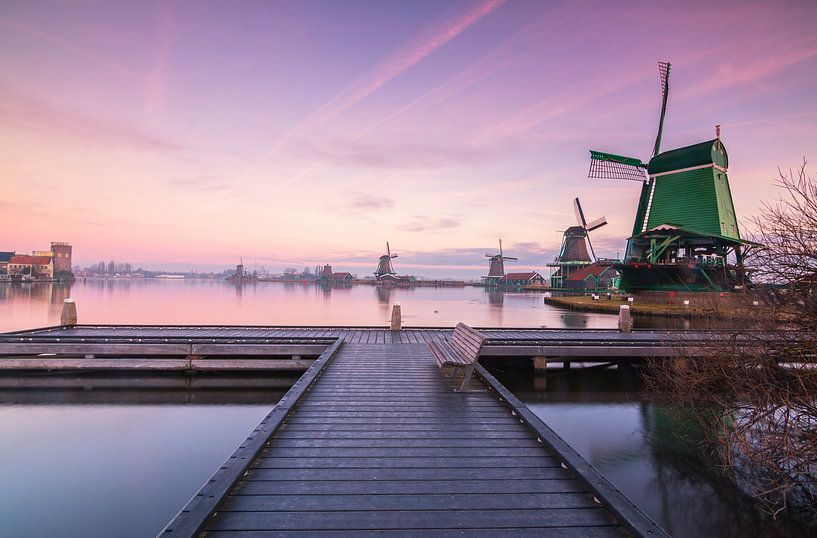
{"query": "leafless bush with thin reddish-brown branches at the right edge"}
pixel 754 388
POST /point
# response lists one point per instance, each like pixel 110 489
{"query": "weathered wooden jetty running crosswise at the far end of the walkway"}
pixel 256 348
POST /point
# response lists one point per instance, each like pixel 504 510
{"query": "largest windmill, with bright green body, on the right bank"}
pixel 685 235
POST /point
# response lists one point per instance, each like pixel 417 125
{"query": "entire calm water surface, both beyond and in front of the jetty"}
pixel 121 462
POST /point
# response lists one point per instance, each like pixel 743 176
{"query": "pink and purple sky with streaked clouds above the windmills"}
pixel 189 134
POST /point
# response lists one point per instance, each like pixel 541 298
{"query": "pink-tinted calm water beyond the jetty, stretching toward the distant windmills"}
pixel 158 301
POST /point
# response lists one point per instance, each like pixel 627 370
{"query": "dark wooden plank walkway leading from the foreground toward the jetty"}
pixel 381 444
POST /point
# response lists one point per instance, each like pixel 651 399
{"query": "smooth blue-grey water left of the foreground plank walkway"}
pixel 110 470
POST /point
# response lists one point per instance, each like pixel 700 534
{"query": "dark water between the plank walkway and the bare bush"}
pixel 649 451
